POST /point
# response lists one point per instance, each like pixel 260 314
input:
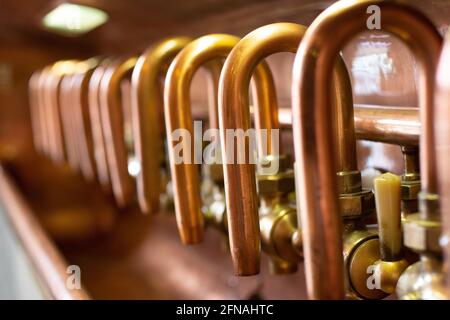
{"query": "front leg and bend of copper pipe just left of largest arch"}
pixel 234 111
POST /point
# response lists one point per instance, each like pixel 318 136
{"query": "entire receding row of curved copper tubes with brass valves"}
pixel 321 214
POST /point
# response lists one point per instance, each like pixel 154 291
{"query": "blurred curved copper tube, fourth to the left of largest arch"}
pixel 113 127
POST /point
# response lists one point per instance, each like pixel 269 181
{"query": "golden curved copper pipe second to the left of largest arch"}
pixel 178 115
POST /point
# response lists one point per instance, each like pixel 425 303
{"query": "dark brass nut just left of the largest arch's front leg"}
pixel 283 182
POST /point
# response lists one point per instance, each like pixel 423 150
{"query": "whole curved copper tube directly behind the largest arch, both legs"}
pixel 240 178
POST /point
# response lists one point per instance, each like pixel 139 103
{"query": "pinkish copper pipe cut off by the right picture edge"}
pixel 442 132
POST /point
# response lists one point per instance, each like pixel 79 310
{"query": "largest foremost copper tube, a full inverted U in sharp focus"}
pixel 316 178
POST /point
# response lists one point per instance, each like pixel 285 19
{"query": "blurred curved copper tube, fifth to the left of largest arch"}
pixel 98 138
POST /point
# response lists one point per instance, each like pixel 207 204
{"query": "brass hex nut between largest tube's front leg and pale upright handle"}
pixel 357 204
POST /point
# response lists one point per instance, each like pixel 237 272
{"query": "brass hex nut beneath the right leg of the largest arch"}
pixel 421 235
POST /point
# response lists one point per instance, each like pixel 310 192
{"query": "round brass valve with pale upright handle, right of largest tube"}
pixel 374 260
